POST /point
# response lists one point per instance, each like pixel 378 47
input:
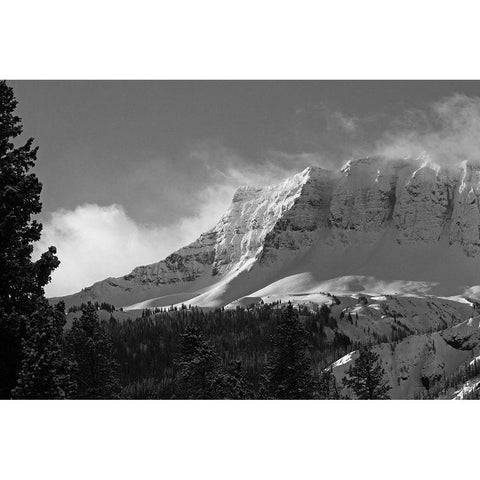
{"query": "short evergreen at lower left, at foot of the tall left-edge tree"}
pixel 45 373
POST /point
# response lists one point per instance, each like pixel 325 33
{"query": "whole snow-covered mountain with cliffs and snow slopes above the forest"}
pixel 377 226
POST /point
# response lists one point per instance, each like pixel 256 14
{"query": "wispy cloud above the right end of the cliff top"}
pixel 447 132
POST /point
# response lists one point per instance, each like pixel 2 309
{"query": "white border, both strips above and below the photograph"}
pixel 239 40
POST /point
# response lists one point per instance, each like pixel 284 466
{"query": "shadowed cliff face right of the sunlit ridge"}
pixel 415 203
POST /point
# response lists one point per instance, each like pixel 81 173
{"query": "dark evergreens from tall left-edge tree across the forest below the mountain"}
pixel 267 352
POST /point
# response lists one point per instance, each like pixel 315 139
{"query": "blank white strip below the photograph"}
pixel 238 440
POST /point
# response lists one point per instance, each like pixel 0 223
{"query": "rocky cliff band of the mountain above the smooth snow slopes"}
pixel 367 200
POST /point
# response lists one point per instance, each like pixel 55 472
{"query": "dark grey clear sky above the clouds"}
pixel 96 136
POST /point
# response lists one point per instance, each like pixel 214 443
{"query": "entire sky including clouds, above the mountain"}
pixel 133 170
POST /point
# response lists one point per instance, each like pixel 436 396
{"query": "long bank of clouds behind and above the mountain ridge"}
pixel 182 199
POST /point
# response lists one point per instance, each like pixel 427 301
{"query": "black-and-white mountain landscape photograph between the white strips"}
pixel 322 242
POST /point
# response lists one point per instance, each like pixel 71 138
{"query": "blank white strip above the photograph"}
pixel 248 39
